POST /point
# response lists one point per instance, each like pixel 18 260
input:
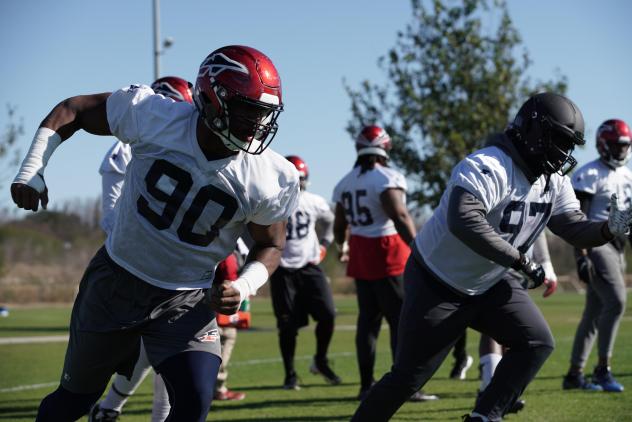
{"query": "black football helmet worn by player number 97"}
pixel 545 131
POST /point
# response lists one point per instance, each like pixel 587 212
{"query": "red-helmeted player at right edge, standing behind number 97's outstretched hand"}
pixel 603 267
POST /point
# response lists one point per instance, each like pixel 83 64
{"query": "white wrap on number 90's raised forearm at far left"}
pixel 31 171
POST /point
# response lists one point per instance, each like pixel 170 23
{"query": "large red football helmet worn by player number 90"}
pixel 238 95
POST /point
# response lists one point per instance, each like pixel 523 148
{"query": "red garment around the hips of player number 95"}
pixel 372 258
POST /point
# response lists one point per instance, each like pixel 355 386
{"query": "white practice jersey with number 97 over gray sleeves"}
pixel 517 210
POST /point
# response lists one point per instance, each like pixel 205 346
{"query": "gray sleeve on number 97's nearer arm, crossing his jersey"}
pixel 467 222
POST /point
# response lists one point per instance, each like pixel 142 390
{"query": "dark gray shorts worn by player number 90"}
pixel 114 310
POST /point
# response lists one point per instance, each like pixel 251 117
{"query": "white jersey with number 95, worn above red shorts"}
pixel 359 195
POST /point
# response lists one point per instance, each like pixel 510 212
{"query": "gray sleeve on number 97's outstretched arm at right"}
pixel 577 230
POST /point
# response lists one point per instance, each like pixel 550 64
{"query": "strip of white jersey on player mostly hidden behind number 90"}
pixel 112 172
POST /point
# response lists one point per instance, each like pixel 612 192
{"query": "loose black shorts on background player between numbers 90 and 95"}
pixel 297 293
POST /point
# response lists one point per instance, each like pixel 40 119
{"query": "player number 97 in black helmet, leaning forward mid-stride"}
pixel 497 202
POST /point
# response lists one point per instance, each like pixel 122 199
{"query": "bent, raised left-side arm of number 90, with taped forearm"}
pixel 86 112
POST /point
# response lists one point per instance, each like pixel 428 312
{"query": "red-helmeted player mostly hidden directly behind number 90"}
pixel 112 170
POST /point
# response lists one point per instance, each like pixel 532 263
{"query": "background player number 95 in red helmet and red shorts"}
pixel 371 201
